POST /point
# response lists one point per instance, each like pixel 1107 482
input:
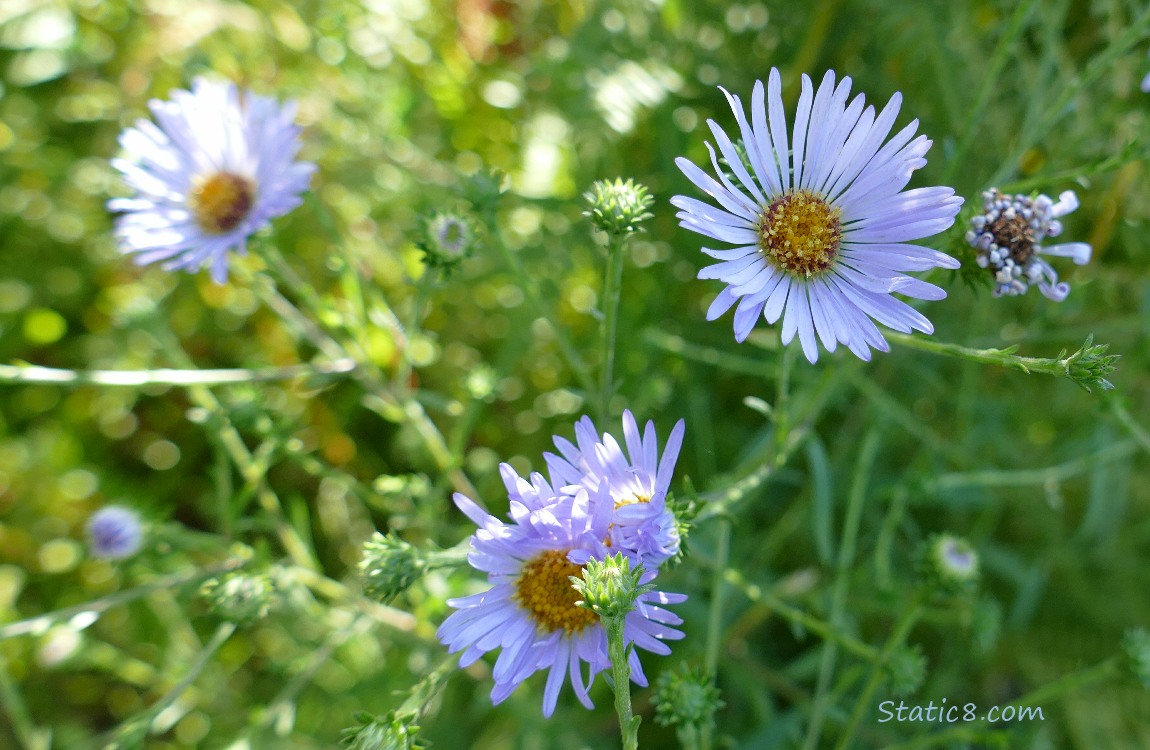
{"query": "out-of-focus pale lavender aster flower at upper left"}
pixel 218 167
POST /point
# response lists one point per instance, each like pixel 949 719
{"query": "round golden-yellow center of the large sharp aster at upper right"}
pixel 801 233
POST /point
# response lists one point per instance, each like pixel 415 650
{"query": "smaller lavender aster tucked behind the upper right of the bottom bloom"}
pixel 637 480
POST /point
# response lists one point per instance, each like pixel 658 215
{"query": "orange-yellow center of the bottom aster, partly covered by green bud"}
pixel 545 590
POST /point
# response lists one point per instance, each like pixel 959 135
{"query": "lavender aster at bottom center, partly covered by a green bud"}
pixel 531 614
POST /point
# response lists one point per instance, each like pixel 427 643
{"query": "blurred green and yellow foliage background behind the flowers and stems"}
pixel 405 106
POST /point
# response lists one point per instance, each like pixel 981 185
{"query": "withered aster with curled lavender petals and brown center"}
pixel 1008 236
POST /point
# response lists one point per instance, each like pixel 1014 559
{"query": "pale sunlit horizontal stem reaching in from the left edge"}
pixel 177 378
